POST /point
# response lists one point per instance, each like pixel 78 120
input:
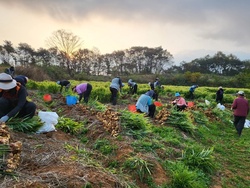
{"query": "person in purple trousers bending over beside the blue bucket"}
pixel 83 90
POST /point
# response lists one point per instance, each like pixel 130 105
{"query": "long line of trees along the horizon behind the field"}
pixel 64 51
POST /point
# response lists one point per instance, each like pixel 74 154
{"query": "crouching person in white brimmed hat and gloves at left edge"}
pixel 13 102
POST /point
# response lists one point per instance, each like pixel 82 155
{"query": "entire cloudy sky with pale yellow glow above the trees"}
pixel 188 29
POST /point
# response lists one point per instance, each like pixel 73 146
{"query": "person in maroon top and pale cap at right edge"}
pixel 240 109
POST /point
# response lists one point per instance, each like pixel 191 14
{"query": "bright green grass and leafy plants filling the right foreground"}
pixel 197 148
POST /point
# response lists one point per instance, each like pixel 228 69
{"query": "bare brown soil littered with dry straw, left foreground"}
pixel 46 163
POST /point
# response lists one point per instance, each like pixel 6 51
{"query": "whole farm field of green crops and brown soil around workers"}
pixel 100 145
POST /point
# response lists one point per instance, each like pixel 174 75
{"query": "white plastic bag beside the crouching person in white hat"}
pixel 49 119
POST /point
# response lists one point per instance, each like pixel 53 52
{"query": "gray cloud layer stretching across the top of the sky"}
pixel 230 18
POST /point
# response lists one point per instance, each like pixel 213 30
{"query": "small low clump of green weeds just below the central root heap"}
pixel 104 146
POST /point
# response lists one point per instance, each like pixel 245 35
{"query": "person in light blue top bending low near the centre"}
pixel 145 105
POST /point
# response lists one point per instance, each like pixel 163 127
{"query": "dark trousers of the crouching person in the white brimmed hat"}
pixel 28 109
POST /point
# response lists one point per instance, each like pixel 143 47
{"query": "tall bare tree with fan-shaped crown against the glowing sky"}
pixel 67 43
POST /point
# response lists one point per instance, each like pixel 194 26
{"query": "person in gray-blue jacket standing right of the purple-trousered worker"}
pixel 115 86
